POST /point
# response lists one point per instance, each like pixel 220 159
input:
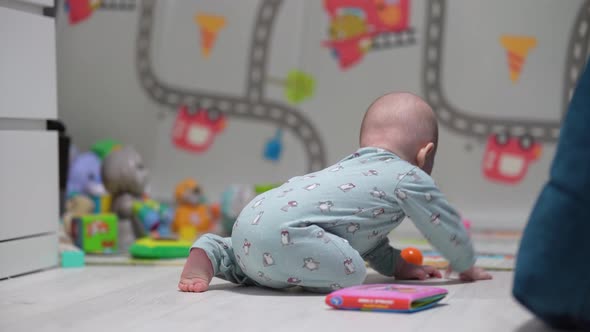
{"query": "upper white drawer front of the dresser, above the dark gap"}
pixel 27 65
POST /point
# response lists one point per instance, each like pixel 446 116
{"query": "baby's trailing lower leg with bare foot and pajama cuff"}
pixel 211 255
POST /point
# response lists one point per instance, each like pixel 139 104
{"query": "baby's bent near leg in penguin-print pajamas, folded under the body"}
pixel 303 256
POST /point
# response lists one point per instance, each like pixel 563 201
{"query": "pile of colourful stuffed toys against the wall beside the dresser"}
pixel 110 181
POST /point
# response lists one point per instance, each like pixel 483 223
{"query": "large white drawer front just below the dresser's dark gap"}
pixel 29 193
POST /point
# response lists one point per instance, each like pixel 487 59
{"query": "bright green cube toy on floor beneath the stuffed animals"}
pixel 96 233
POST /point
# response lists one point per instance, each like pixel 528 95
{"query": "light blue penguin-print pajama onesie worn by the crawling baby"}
pixel 317 230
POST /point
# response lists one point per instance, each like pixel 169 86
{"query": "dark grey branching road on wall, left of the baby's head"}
pixel 253 105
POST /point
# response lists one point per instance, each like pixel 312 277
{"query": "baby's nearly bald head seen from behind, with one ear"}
pixel 404 124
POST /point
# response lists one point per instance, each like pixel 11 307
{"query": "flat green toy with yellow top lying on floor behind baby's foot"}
pixel 150 248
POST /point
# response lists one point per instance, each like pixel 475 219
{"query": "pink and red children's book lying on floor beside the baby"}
pixel 386 297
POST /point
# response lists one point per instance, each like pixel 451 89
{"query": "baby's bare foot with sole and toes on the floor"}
pixel 197 272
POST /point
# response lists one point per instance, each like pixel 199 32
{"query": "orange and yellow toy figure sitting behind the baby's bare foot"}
pixel 193 216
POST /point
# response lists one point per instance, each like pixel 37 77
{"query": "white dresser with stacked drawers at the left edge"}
pixel 29 201
